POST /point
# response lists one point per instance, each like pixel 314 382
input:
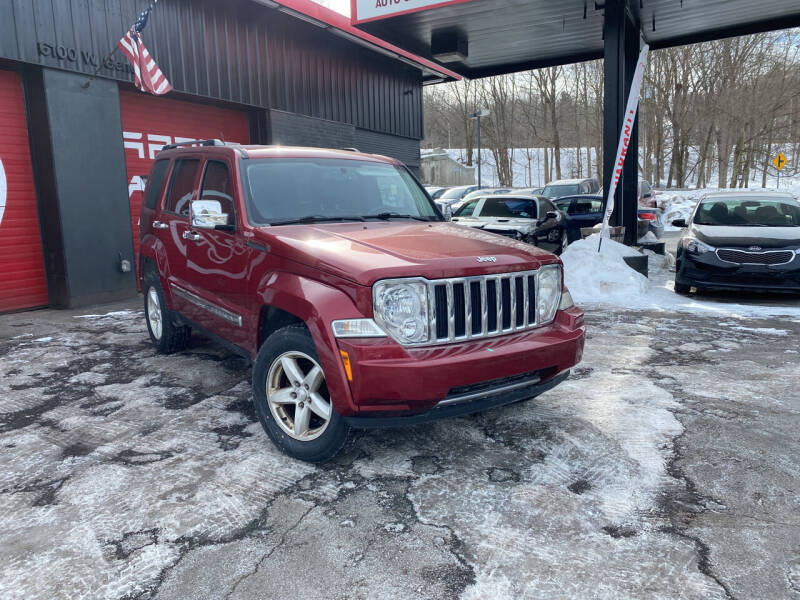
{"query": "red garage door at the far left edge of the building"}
pixel 22 279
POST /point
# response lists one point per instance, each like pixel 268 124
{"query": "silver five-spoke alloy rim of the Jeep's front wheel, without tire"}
pixel 298 397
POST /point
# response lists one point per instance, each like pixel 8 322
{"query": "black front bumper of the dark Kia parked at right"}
pixel 708 271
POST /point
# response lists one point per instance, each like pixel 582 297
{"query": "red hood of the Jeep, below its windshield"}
pixel 366 252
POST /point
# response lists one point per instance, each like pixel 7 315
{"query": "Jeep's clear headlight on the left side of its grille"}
pixel 401 308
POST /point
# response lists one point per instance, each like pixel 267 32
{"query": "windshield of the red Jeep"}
pixel 285 190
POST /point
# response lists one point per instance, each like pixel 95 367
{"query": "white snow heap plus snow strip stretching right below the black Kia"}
pixel 603 278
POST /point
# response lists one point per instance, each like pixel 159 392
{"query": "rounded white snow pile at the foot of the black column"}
pixel 593 276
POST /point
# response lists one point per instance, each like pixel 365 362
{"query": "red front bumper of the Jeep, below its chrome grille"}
pixel 391 381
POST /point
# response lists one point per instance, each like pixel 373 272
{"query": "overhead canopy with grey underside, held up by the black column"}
pixel 477 38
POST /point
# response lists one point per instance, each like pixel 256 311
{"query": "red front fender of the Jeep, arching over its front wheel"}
pixel 317 304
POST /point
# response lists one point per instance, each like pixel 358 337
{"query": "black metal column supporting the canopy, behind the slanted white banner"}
pixel 621 39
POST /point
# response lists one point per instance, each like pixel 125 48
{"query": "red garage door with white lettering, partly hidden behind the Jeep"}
pixel 148 123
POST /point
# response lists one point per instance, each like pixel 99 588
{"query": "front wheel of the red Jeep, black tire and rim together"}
pixel 288 378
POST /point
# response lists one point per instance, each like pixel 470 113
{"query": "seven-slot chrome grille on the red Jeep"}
pixel 476 307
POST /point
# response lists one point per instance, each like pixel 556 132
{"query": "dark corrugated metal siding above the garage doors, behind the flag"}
pixel 232 50
